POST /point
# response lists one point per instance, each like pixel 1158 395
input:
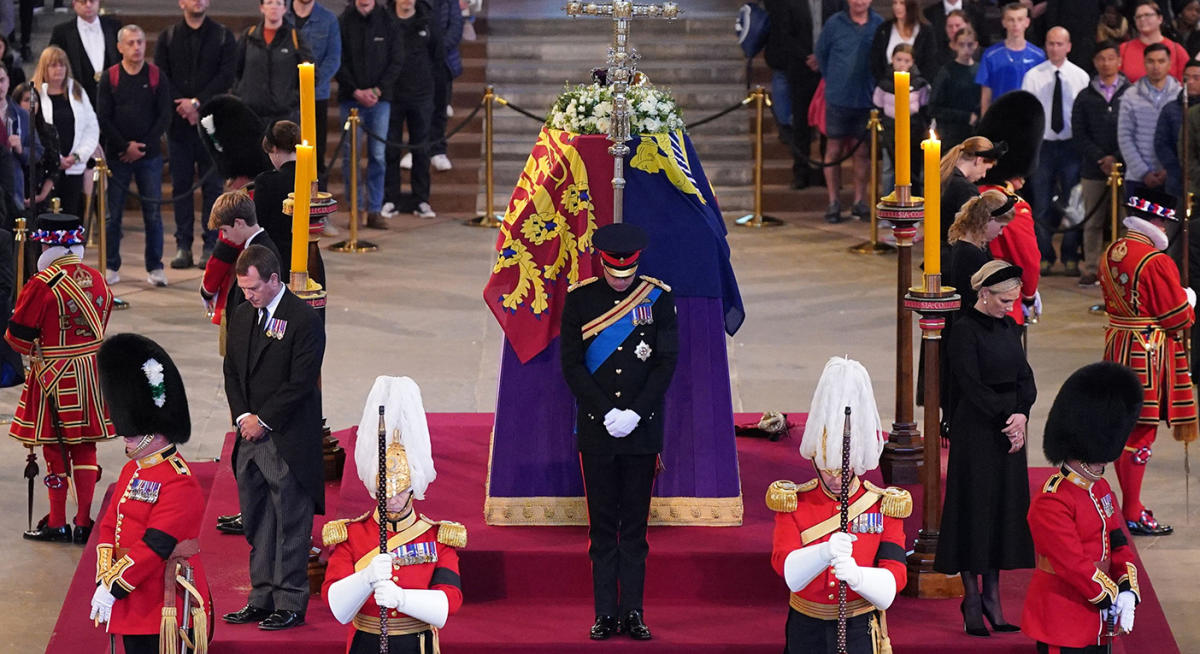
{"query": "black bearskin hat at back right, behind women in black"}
pixel 1018 119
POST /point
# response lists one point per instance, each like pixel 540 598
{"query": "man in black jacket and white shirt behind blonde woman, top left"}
pixel 91 44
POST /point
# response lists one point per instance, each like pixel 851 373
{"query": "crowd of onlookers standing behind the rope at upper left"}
pixel 97 92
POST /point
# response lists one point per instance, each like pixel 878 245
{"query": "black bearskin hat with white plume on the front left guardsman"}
pixel 143 389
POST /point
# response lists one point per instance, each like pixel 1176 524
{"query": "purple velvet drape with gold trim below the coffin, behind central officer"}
pixel 535 453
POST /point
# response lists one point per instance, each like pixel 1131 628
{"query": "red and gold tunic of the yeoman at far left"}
pixel 65 307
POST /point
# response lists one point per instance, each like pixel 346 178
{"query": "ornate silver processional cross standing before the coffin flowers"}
pixel 622 67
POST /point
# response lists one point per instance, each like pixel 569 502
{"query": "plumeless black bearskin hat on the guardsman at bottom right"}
pixel 1091 418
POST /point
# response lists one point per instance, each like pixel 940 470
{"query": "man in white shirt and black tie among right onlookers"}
pixel 1055 83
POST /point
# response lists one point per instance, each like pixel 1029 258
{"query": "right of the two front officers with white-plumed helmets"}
pixel 811 551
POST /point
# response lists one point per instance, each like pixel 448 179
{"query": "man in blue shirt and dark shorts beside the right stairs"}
pixel 843 52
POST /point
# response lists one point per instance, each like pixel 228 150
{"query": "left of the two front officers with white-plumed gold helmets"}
pixel 417 580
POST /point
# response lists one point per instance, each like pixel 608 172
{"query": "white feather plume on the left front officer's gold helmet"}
pixel 405 419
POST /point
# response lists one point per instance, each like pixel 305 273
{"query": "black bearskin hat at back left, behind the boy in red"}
pixel 233 134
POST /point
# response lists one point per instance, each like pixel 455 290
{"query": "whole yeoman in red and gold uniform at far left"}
pixel 59 323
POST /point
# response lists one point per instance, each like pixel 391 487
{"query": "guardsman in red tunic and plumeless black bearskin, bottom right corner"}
pixel 1085 586
